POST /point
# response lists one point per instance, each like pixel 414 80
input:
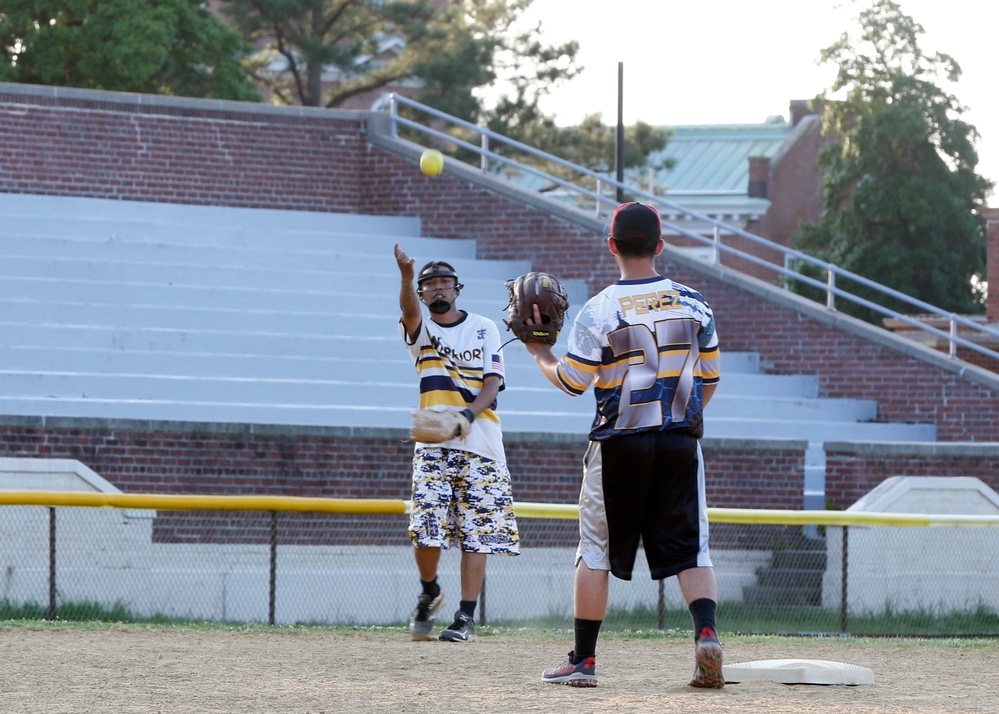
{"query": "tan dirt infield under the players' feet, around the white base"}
pixel 132 669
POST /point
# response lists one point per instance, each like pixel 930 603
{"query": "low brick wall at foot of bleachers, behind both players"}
pixel 143 457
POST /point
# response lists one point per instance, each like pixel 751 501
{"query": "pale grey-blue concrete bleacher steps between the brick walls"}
pixel 116 309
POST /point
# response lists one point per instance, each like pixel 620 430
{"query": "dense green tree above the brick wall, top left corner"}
pixel 149 46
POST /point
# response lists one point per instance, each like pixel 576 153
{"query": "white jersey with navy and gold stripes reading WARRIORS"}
pixel 452 361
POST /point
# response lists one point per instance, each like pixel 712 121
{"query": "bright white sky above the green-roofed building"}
pixel 732 62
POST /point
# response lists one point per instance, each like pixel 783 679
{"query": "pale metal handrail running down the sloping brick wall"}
pixel 603 198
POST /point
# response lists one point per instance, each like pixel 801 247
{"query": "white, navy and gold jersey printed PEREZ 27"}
pixel 647 347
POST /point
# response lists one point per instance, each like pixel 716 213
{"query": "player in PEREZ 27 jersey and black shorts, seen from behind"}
pixel 649 348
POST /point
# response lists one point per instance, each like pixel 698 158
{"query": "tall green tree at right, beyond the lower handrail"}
pixel 902 198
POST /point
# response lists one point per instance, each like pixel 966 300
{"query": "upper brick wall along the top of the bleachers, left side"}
pixel 107 145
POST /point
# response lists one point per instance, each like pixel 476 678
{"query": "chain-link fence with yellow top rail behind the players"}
pixel 841 573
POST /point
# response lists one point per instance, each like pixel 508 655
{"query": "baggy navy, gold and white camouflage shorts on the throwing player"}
pixel 464 500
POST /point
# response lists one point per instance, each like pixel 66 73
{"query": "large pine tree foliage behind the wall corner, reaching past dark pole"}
pixel 475 60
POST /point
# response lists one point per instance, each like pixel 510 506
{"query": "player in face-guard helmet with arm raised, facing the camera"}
pixel 461 492
